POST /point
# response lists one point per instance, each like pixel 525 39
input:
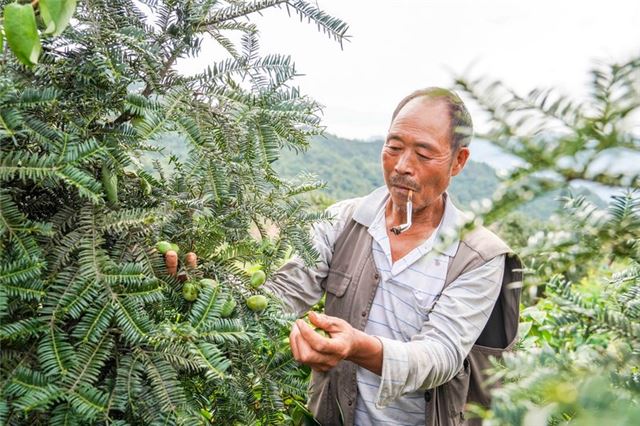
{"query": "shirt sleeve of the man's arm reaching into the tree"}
pixel 300 287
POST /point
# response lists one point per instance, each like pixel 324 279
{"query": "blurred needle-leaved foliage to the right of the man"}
pixel 579 355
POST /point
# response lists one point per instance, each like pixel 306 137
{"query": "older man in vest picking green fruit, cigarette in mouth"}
pixel 402 311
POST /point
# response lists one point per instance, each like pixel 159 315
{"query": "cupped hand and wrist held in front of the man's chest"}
pixel 322 353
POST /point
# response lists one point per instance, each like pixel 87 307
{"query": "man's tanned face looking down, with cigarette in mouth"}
pixel 417 154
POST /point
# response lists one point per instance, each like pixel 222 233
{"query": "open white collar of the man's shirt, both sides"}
pixel 449 228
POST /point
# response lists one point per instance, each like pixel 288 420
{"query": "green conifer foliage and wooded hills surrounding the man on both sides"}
pixel 97 327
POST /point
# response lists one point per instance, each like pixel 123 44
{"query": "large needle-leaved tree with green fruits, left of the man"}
pixel 93 328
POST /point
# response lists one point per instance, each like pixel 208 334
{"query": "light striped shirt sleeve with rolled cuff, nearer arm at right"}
pixel 435 355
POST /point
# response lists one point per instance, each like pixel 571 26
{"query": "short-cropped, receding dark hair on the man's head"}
pixel 460 119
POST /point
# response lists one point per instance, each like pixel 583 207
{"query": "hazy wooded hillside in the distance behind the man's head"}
pixel 351 168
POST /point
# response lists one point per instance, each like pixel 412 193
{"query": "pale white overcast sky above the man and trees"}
pixel 397 46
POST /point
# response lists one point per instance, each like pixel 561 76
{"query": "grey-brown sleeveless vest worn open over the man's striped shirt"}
pixel 350 288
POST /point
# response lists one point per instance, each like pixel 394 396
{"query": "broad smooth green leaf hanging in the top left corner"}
pixel 22 32
